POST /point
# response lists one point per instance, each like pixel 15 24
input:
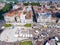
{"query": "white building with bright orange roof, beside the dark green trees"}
pixel 12 16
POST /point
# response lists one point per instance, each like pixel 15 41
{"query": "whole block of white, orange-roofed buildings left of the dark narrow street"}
pixel 18 15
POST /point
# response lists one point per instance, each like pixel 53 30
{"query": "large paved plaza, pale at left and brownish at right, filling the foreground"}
pixel 14 34
